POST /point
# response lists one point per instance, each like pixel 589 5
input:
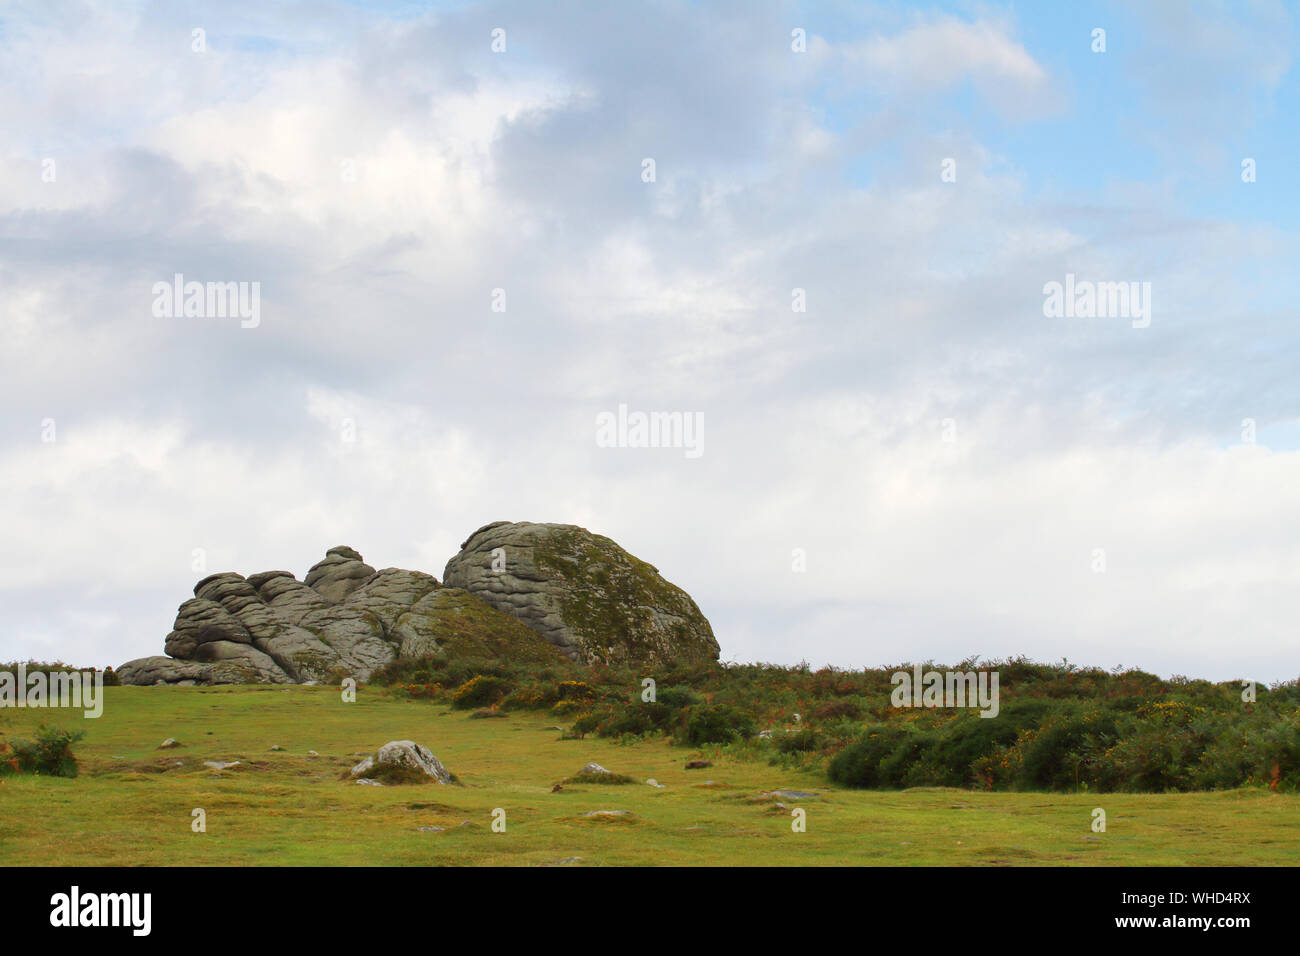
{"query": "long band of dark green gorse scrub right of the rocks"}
pixel 1060 728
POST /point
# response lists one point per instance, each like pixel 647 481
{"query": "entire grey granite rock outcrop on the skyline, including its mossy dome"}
pixel 515 591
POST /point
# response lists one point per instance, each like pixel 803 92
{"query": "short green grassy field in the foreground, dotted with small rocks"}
pixel 133 803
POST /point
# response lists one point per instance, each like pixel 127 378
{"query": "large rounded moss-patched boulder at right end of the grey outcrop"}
pixel 583 594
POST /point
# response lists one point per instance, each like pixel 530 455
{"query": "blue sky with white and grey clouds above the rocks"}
pixel 462 262
